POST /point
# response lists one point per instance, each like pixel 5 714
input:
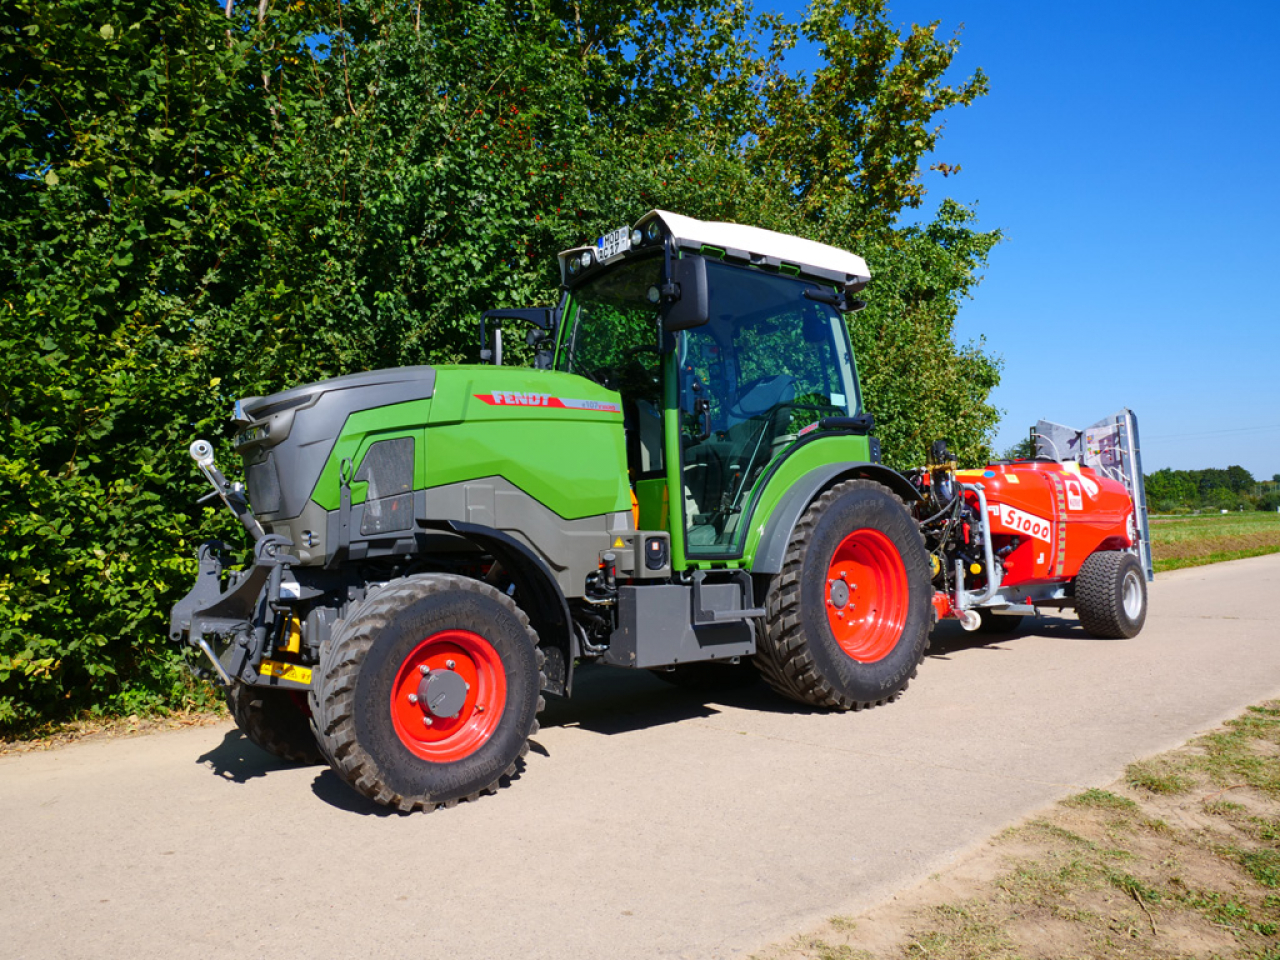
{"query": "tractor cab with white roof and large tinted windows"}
pixel 728 346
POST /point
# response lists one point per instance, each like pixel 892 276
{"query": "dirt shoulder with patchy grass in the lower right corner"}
pixel 1178 860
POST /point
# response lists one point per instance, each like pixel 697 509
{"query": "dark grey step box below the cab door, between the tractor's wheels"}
pixel 656 629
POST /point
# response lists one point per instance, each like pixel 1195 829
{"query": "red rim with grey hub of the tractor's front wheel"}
pixel 479 700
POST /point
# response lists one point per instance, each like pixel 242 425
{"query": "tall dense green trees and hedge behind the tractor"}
pixel 202 204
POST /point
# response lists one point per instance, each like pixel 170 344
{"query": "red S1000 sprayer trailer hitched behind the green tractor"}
pixel 1064 529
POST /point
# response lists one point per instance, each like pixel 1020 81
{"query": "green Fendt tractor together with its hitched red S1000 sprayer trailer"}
pixel 685 482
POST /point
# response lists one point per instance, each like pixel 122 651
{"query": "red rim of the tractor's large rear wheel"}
pixel 867 596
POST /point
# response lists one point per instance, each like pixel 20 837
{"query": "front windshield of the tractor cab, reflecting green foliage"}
pixel 614 324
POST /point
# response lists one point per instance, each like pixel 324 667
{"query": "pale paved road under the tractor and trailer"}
pixel 647 824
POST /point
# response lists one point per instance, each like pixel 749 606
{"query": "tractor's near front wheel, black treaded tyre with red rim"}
pixel 428 693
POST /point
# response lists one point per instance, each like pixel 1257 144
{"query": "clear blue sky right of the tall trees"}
pixel 1131 156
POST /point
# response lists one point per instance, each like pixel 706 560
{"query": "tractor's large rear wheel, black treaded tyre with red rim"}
pixel 849 616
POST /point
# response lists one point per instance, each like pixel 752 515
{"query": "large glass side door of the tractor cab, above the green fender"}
pixel 770 364
